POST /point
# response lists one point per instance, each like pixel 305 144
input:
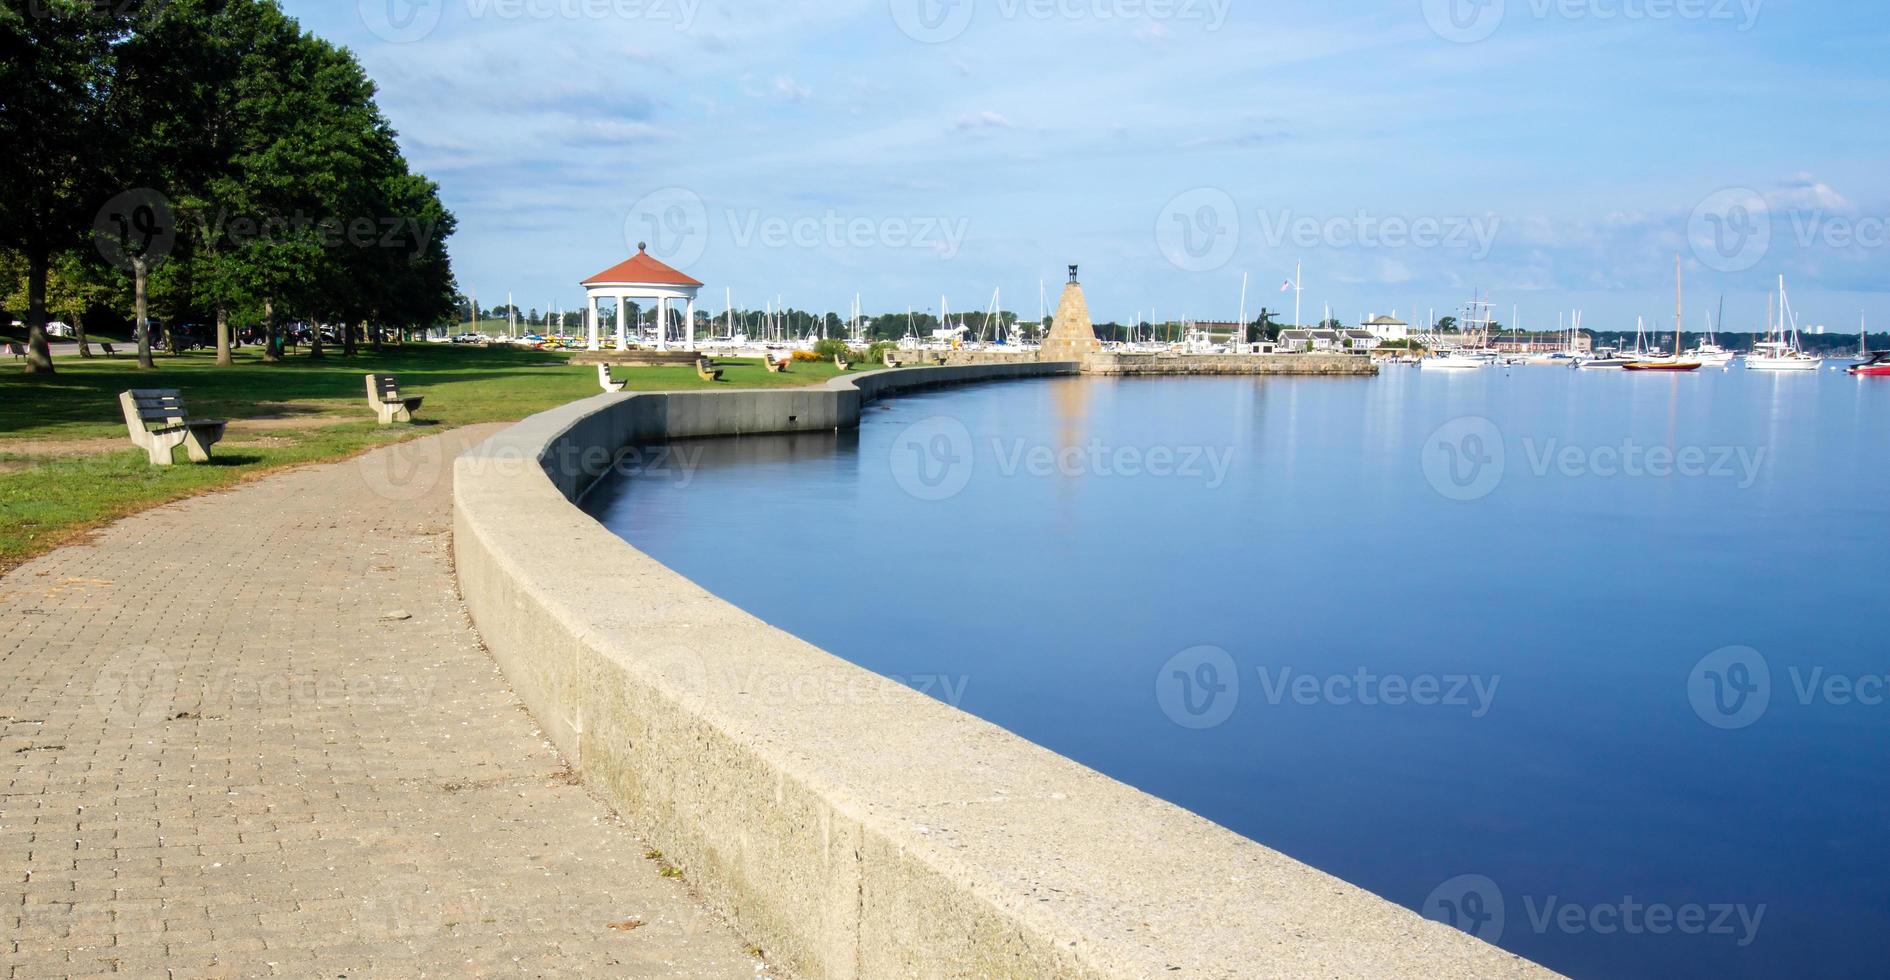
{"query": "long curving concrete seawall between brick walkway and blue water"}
pixel 846 824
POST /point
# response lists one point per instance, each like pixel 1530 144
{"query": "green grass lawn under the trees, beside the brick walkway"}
pixel 67 465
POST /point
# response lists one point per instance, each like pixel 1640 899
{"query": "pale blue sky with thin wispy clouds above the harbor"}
pixel 1407 156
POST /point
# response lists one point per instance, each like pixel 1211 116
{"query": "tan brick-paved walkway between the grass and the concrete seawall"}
pixel 254 734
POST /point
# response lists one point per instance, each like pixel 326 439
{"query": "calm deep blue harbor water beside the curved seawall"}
pixel 1549 701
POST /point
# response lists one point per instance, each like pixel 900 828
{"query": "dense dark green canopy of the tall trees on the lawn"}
pixel 226 161
